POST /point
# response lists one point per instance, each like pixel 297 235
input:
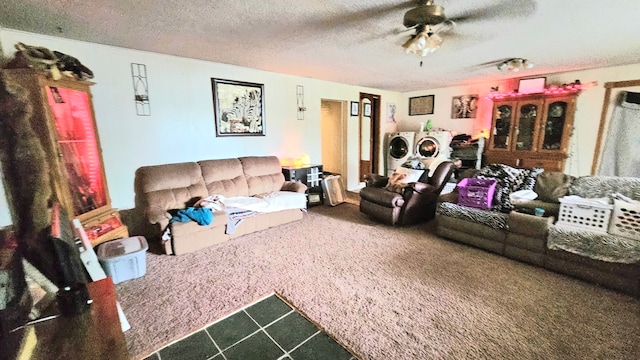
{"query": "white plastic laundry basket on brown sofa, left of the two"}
pixel 593 217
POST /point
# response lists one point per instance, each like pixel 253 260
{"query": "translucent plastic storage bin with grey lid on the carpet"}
pixel 124 259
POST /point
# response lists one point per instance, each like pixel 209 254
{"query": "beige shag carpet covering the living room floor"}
pixel 386 293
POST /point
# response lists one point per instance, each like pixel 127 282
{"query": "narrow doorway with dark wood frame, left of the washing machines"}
pixel 369 135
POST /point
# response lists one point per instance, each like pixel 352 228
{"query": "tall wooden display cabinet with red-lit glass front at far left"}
pixel 63 121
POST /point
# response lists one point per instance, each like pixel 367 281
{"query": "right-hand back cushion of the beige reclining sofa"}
pixel 263 174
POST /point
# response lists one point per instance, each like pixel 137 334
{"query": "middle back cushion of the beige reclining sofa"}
pixel 224 177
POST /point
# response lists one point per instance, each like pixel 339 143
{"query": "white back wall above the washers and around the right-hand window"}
pixel 587 117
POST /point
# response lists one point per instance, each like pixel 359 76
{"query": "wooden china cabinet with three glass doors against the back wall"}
pixel 531 131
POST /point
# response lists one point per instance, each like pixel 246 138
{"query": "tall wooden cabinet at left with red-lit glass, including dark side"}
pixel 51 152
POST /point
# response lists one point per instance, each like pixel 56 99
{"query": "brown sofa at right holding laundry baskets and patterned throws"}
pixel 543 242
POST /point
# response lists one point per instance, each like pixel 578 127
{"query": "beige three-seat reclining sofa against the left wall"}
pixel 162 189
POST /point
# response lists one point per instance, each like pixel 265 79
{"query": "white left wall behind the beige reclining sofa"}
pixel 181 126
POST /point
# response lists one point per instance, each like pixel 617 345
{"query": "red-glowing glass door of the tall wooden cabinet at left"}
pixel 79 149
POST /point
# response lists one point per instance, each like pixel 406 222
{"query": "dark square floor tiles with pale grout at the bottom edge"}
pixel 266 330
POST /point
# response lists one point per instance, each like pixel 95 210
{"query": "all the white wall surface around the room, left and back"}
pixel 181 125
